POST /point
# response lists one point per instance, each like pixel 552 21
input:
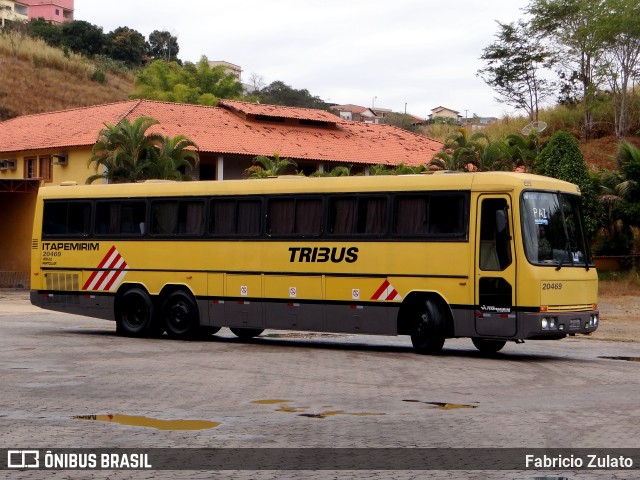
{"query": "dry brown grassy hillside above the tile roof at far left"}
pixel 28 86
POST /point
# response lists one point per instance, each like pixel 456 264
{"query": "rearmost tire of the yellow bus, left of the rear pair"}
pixel 135 313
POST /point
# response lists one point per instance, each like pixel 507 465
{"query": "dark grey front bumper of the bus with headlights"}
pixel 550 325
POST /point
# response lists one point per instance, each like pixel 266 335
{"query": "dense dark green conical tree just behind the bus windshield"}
pixel 561 158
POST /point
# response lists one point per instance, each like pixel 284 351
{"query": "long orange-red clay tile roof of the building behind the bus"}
pixel 231 128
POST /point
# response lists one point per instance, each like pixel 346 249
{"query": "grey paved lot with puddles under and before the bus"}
pixel 287 389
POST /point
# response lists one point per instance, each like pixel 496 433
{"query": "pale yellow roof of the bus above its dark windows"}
pixel 476 181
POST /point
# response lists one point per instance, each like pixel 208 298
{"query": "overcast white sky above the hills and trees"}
pixel 404 55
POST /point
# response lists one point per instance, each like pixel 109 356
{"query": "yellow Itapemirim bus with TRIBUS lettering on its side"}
pixel 493 256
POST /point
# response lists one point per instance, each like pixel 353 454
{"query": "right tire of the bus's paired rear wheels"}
pixel 180 315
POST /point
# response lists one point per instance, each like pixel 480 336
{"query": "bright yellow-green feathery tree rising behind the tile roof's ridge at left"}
pixel 198 84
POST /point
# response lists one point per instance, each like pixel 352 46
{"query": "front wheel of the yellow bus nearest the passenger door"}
pixel 428 330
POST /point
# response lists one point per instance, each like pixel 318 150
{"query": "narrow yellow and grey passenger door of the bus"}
pixel 495 288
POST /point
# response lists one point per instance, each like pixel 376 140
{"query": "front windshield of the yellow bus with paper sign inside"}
pixel 553 230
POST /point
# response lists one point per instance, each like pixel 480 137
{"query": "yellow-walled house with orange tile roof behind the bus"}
pixel 51 148
